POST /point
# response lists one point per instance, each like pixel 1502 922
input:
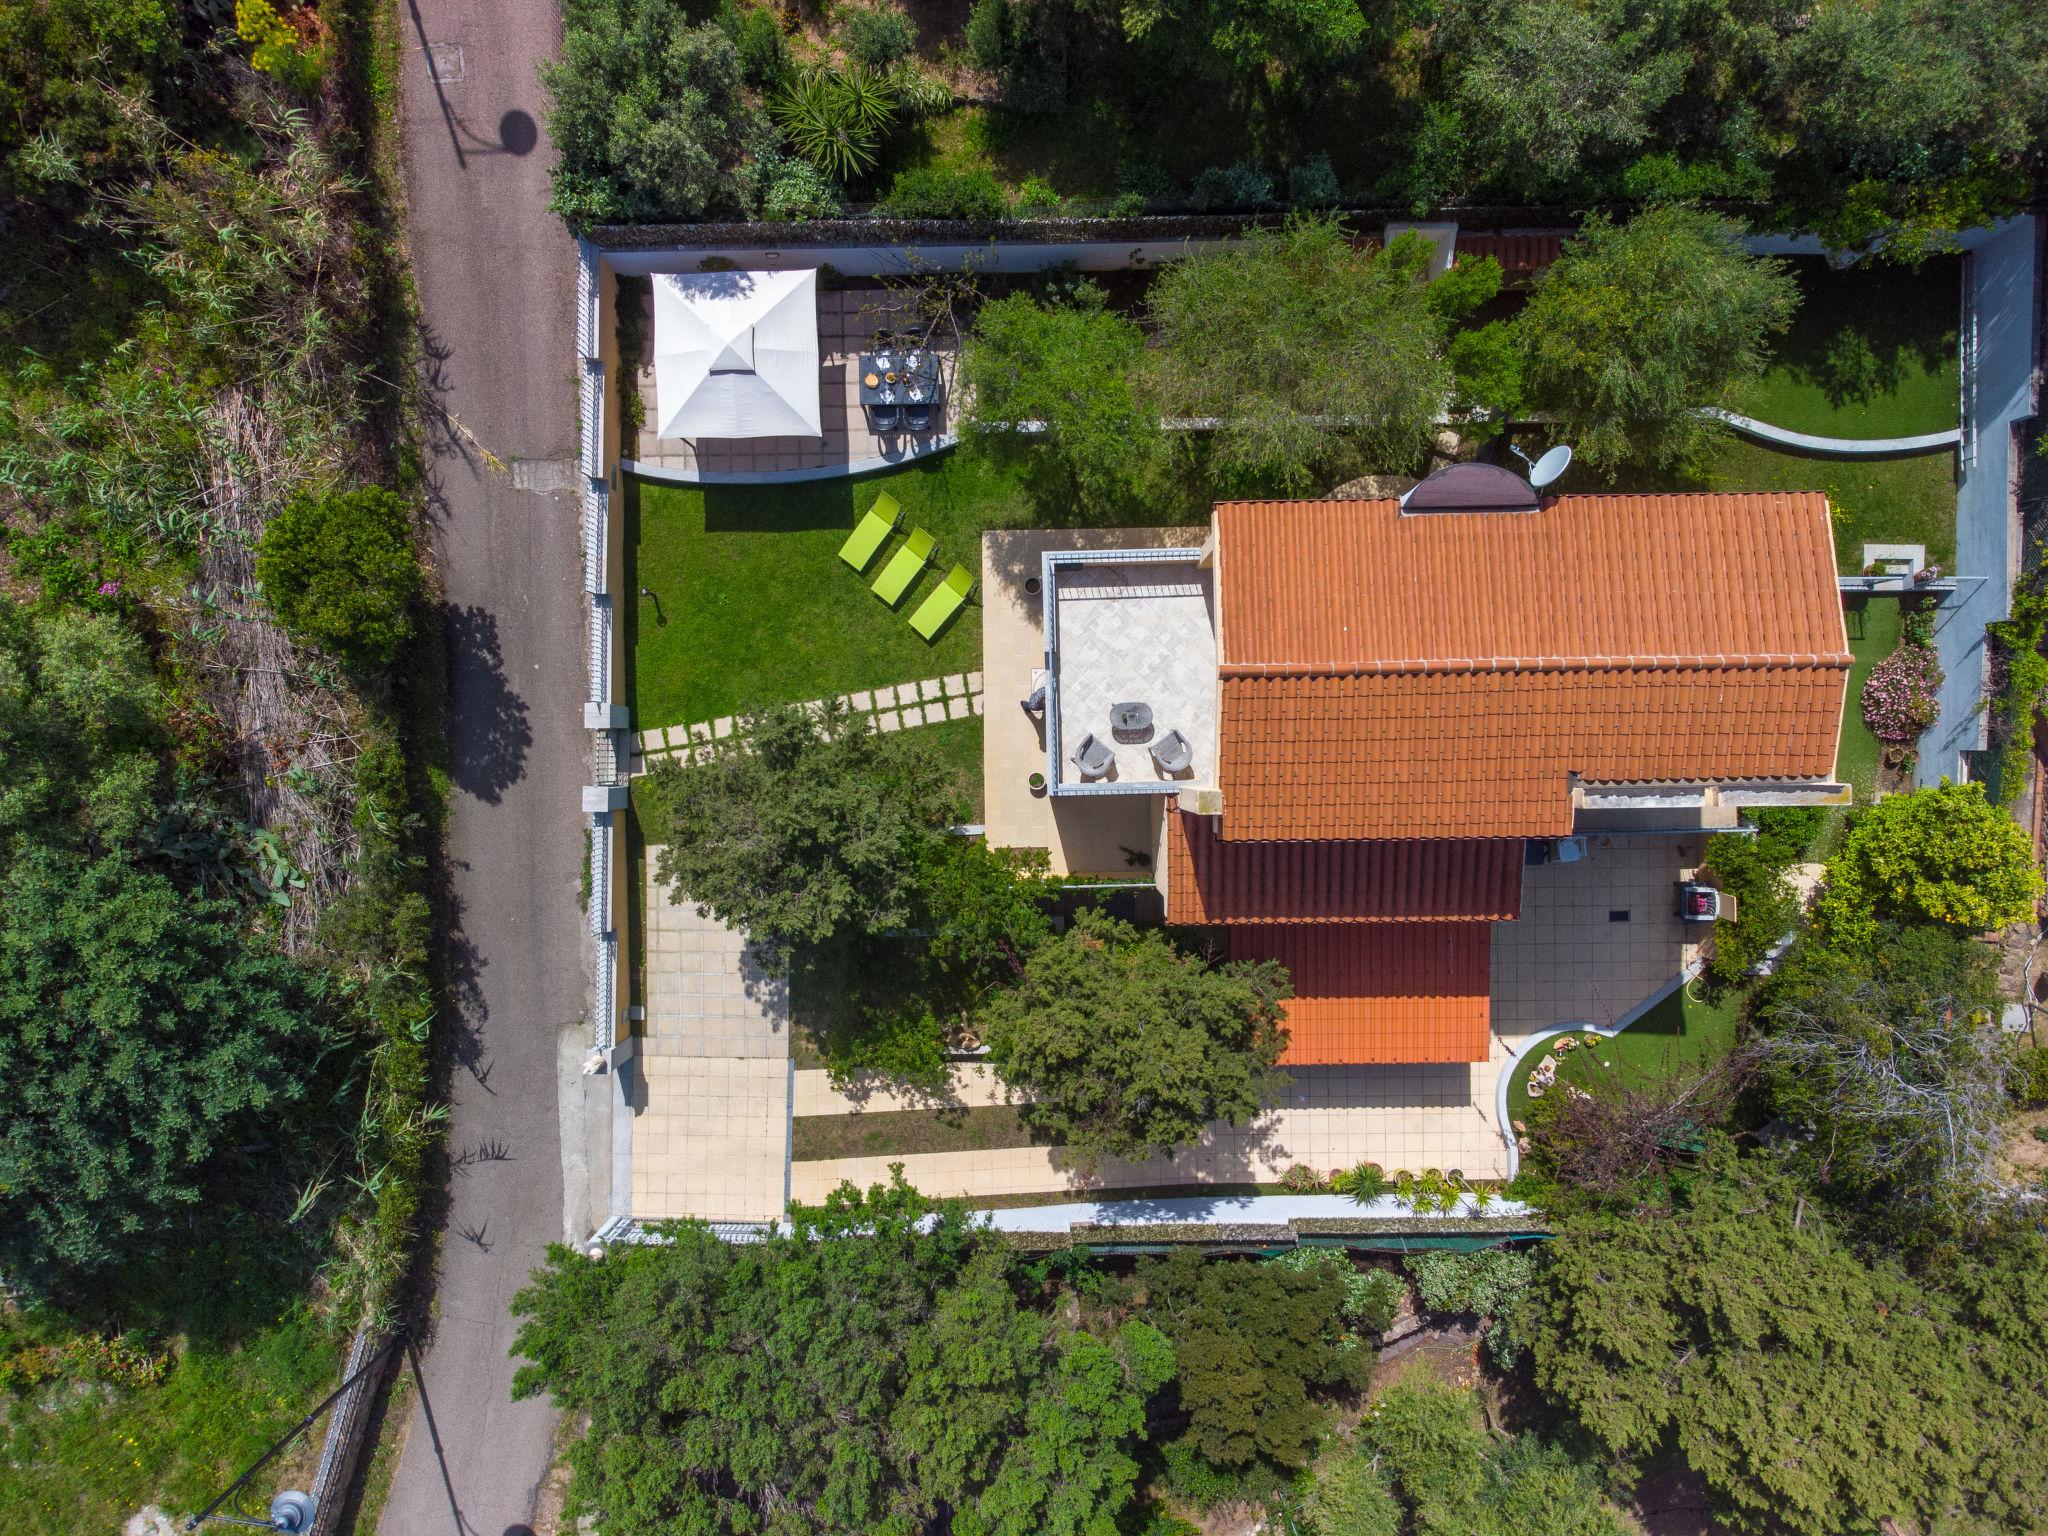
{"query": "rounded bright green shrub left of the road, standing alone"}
pixel 341 570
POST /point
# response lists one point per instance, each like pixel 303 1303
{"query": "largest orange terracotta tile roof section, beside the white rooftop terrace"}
pixel 1445 675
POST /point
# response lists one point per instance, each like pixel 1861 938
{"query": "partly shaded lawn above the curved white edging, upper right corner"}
pixel 1871 353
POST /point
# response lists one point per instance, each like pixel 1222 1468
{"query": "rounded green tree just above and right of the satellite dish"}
pixel 1641 325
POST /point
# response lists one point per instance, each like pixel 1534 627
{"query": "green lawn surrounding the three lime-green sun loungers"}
pixel 753 603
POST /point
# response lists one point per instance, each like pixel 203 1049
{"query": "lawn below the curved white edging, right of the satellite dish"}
pixel 1877 501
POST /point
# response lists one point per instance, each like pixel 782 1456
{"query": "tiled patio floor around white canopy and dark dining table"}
pixel 847 321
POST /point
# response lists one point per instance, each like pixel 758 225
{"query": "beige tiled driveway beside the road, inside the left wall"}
pixel 714 1082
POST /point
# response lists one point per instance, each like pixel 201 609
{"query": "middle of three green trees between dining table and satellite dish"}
pixel 1316 359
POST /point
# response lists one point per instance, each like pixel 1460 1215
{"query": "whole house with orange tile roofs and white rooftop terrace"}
pixel 1381 712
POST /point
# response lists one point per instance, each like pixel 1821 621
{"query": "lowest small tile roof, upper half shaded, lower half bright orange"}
pixel 1379 992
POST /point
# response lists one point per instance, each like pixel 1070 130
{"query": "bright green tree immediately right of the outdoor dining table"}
pixel 1068 366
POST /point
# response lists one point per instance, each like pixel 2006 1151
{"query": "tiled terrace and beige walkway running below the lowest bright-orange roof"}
pixel 1566 962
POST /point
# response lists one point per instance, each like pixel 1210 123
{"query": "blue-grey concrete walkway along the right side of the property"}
pixel 2006 314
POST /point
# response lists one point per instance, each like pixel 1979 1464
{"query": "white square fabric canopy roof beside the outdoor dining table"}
pixel 736 355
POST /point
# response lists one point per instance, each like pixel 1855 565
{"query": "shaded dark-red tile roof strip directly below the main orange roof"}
pixel 1213 882
